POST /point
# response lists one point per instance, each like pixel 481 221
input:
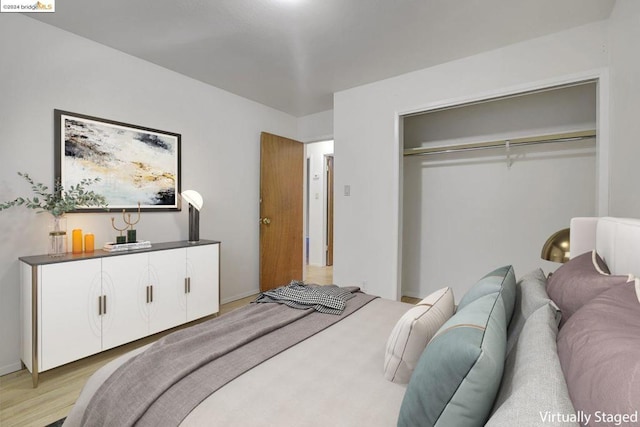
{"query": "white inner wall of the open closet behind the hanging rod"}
pixel 468 212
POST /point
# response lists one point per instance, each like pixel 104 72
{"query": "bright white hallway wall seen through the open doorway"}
pixel 316 153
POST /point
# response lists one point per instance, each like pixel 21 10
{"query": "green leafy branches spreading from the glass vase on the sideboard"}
pixel 59 201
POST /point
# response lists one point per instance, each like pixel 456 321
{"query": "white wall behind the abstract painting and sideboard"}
pixel 45 68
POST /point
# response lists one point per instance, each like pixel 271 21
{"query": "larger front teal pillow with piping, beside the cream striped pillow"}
pixel 458 374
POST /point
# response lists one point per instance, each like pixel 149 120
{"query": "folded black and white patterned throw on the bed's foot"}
pixel 328 299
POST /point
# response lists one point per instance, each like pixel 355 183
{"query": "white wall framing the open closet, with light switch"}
pixel 367 148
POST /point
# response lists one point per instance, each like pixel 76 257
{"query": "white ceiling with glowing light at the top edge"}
pixel 292 55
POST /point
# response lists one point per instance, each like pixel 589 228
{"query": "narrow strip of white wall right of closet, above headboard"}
pixel 624 26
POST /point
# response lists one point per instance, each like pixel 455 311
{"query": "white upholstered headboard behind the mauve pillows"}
pixel 617 241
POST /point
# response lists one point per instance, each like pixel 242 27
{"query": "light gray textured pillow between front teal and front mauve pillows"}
pixel 532 385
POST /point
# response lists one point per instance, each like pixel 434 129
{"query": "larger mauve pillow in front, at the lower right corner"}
pixel 599 350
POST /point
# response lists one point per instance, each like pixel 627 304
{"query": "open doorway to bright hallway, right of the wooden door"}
pixel 319 212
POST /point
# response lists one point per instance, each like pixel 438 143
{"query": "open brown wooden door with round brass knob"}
pixel 281 202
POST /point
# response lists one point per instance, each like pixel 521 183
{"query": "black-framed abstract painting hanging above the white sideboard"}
pixel 135 164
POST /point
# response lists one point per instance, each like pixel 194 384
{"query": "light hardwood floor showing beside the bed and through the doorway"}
pixel 58 389
